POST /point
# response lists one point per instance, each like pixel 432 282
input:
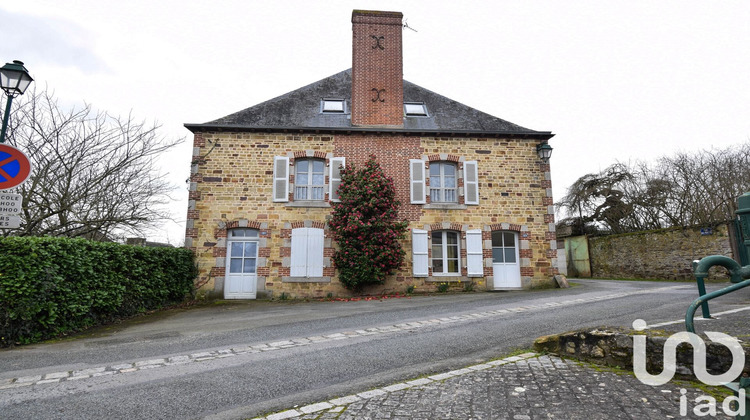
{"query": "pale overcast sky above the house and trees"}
pixel 614 80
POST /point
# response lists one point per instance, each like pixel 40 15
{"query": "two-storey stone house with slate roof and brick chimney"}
pixel 473 187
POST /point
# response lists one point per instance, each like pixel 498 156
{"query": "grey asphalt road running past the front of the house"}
pixel 191 363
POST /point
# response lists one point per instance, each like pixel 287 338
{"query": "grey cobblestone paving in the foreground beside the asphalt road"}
pixel 520 388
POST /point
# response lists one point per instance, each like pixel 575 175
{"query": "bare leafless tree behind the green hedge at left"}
pixel 93 174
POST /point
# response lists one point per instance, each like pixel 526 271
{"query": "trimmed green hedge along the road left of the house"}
pixel 50 286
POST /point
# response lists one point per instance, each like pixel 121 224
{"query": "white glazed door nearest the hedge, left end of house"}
pixel 240 281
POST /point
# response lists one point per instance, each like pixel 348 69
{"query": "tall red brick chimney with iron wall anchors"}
pixel 377 69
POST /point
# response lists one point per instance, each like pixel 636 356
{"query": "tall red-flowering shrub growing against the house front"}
pixel 365 226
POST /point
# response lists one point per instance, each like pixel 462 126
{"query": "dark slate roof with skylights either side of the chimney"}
pixel 300 110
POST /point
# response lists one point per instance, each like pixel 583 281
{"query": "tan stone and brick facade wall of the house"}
pixel 232 186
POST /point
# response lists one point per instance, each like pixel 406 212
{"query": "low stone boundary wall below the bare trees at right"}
pixel 665 254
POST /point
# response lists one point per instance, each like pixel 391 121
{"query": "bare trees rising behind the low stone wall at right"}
pixel 681 190
